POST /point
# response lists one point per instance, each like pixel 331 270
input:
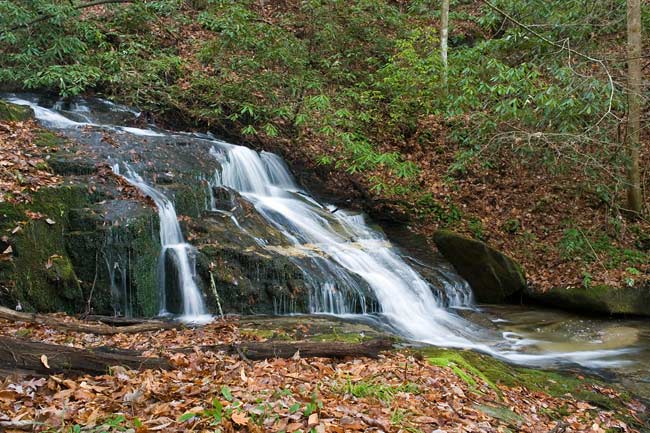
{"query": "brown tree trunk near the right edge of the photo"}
pixel 634 102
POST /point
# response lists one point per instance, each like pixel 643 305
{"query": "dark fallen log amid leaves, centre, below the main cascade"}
pixel 258 350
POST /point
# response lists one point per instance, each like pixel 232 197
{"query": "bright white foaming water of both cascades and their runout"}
pixel 353 268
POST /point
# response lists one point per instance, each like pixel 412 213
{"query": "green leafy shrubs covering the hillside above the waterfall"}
pixel 355 77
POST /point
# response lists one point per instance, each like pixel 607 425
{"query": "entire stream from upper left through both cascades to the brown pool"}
pixel 352 269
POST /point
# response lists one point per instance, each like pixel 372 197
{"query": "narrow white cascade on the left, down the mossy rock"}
pixel 175 248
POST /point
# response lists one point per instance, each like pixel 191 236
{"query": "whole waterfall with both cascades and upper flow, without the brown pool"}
pixel 350 267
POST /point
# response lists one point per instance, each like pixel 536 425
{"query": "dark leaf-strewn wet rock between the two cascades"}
pixel 247 278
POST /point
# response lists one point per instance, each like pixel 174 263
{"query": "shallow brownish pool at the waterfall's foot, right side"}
pixel 544 331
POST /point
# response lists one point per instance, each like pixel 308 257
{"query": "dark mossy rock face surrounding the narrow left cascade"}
pixel 103 249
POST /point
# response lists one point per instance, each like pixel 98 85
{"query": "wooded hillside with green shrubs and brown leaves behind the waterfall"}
pixel 521 146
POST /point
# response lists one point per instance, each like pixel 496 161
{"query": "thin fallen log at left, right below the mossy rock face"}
pixel 99 328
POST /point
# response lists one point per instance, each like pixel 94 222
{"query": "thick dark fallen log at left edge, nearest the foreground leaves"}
pixel 43 358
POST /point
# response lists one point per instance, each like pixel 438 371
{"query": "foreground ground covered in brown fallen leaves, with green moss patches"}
pixel 400 391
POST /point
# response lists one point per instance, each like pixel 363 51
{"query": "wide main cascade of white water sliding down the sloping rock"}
pixel 351 259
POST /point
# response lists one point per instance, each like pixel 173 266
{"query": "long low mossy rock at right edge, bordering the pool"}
pixel 597 299
